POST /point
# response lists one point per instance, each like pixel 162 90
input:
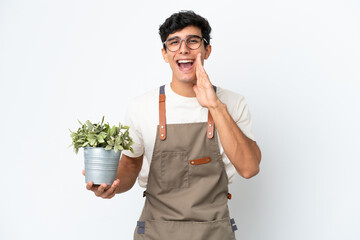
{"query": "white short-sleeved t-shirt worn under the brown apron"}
pixel 143 118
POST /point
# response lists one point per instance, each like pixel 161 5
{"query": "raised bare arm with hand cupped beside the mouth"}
pixel 243 153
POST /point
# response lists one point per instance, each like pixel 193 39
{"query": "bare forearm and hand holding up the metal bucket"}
pixel 128 171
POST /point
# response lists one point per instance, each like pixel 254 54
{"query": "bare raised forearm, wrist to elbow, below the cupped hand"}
pixel 242 152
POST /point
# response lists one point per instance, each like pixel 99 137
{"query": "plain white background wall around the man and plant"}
pixel 296 62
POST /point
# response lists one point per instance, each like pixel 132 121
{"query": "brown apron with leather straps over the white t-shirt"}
pixel 187 190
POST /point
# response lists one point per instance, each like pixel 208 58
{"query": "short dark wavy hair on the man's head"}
pixel 181 20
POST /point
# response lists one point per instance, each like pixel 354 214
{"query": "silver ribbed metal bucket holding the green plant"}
pixel 101 165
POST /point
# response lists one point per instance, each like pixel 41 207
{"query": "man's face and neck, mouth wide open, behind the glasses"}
pixel 182 62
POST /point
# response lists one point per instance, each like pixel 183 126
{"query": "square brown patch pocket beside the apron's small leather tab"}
pixel 174 170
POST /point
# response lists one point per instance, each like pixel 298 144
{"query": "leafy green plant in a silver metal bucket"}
pixel 102 148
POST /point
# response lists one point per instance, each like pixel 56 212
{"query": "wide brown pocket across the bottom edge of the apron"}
pixel 181 230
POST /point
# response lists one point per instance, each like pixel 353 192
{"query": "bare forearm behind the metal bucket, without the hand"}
pixel 128 172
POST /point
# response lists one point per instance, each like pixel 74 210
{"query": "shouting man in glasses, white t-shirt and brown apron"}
pixel 194 138
